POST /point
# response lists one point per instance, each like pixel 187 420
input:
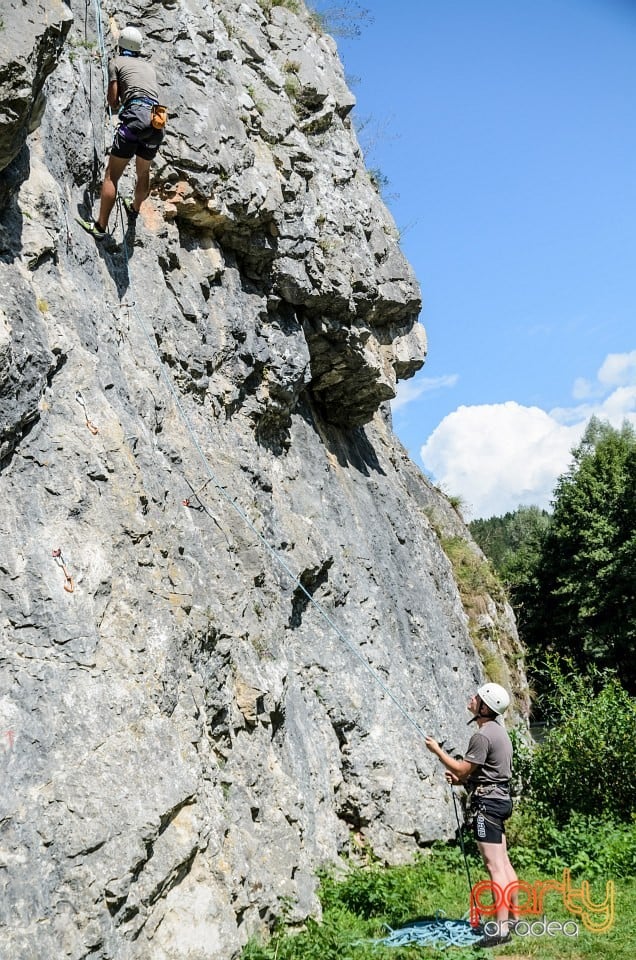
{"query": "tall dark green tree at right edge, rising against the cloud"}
pixel 585 602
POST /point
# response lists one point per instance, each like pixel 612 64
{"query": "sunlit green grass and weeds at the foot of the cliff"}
pixel 359 907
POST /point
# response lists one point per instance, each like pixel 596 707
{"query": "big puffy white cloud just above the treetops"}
pixel 498 456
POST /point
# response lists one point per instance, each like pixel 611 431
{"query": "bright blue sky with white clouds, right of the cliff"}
pixel 507 132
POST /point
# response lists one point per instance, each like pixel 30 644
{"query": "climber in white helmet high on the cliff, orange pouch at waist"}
pixel 133 87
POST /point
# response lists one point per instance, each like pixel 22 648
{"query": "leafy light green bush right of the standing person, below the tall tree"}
pixel 586 763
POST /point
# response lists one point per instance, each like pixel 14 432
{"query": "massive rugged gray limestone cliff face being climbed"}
pixel 226 617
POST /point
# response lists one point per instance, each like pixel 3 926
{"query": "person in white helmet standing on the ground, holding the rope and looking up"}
pixel 485 771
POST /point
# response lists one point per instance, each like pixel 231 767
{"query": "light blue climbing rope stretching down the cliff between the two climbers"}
pixel 214 479
